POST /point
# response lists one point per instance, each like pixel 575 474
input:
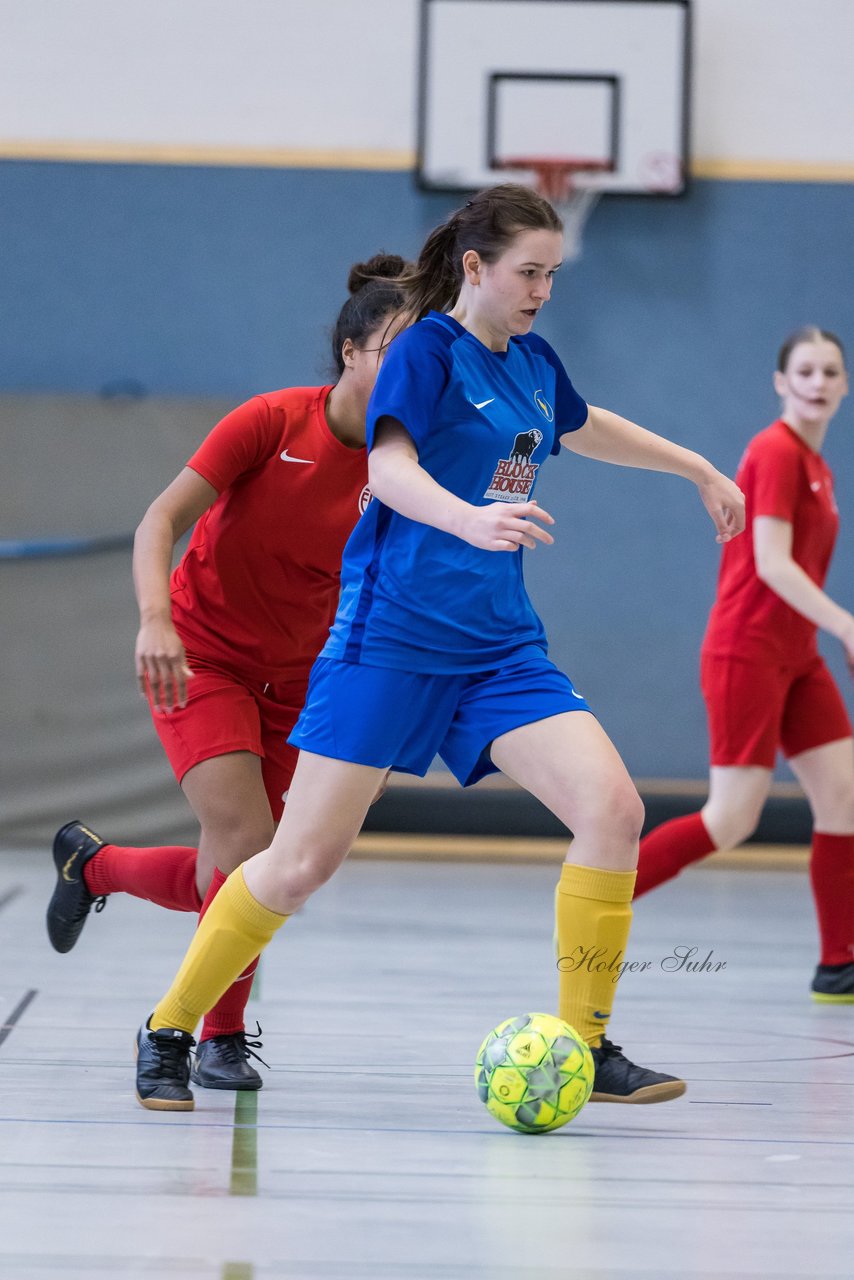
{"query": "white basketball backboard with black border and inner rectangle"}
pixel 605 81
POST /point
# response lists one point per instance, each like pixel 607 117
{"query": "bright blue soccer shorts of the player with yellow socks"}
pixel 401 720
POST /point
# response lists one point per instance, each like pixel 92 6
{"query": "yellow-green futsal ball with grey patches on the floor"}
pixel 535 1073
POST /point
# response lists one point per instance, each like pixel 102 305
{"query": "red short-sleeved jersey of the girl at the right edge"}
pixel 780 477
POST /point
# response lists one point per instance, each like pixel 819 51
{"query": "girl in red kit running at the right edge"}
pixel 764 682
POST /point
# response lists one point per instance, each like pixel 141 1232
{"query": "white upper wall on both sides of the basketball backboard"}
pixel 773 79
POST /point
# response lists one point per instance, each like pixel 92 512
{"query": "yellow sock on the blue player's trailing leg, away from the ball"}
pixel 235 929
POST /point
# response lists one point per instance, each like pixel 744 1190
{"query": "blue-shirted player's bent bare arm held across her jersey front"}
pixel 400 482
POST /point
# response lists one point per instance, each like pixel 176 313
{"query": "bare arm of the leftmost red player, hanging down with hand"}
pixel 161 660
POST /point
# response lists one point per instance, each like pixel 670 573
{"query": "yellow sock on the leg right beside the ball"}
pixel 593 921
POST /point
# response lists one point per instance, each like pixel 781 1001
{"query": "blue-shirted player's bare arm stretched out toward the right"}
pixel 610 438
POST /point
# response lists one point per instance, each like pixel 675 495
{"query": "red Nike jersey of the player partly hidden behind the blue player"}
pixel 257 589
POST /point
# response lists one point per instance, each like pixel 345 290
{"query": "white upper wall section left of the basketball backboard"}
pixel 259 74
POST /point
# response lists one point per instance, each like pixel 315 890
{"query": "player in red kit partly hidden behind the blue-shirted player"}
pixel 226 644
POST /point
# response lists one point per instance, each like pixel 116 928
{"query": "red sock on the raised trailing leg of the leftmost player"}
pixel 166 875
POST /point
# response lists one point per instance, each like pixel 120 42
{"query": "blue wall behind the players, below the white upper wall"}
pixel 223 282
